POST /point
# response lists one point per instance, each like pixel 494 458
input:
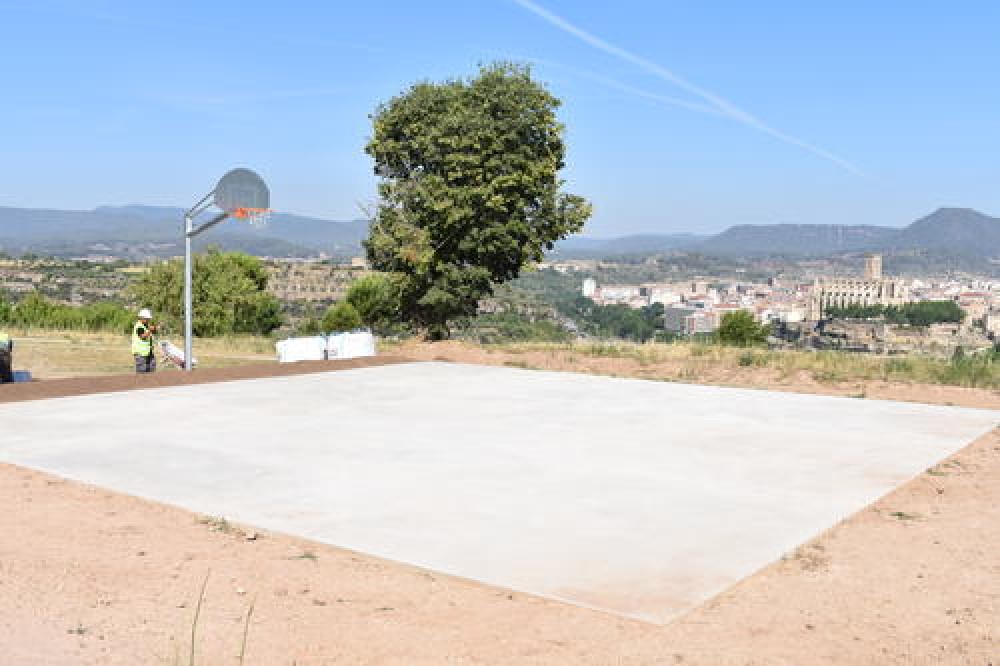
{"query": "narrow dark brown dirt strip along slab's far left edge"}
pixel 60 388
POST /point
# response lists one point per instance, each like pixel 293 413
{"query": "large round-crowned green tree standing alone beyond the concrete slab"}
pixel 469 191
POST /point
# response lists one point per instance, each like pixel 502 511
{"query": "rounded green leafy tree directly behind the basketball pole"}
pixel 229 292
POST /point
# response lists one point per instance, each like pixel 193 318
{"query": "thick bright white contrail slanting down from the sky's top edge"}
pixel 724 106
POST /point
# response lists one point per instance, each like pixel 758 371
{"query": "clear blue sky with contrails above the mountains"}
pixel 681 116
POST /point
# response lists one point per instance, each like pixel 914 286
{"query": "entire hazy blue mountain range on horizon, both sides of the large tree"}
pixel 138 231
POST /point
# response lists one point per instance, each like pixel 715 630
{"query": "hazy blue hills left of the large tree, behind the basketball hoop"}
pixel 156 231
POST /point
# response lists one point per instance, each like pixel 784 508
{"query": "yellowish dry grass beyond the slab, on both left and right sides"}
pixel 76 354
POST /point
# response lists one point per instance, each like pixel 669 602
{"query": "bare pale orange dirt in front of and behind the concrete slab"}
pixel 93 577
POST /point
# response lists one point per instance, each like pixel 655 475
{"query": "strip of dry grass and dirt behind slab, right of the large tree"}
pixel 830 373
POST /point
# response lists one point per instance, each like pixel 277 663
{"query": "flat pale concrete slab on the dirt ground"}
pixel 636 497
